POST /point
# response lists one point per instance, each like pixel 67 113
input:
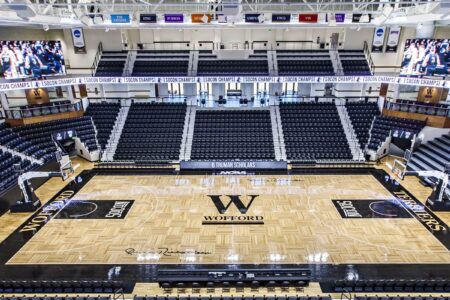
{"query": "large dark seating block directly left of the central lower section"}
pixel 152 131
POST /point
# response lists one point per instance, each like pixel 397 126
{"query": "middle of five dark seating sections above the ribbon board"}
pixel 247 67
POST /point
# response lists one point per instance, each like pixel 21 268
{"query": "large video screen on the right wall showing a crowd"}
pixel 425 57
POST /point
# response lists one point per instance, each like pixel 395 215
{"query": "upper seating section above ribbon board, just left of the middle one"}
pixel 161 63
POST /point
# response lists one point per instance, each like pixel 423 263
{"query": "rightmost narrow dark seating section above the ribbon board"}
pixel 354 63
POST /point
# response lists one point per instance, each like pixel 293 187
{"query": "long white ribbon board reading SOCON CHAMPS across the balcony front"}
pixel 224 79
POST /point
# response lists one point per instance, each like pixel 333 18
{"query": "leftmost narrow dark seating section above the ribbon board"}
pixel 111 63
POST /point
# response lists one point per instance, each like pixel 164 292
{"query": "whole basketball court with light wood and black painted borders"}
pixel 332 217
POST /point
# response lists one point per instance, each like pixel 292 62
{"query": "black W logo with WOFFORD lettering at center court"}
pixel 223 204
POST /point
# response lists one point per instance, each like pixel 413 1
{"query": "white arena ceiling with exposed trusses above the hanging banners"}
pixel 67 13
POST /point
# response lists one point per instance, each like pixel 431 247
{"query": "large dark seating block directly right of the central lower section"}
pixel 313 131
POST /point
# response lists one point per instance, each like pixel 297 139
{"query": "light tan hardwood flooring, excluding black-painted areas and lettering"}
pixel 165 223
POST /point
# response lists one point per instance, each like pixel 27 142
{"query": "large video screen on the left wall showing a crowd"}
pixel 31 59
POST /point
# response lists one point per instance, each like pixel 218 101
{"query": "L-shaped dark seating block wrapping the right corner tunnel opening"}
pixel 383 125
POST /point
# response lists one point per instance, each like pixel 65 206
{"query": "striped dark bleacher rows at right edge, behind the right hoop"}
pixel 433 155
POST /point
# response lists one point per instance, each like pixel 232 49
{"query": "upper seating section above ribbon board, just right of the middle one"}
pixel 304 63
